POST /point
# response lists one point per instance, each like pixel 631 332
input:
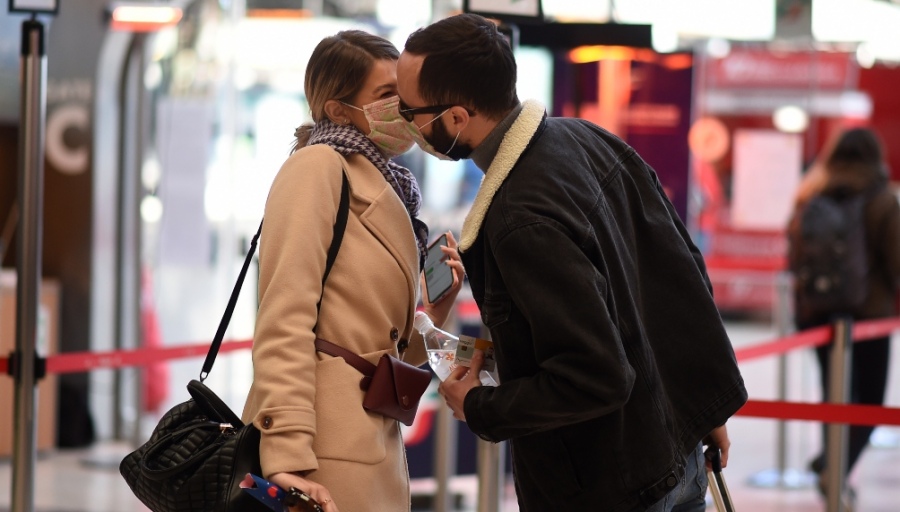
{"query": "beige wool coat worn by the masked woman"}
pixel 306 404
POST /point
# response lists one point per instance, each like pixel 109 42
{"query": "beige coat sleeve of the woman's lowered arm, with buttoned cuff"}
pixel 297 231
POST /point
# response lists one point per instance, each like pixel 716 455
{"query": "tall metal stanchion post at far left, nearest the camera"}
pixel 31 195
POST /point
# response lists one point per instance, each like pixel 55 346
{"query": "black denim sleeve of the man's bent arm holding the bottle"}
pixel 582 371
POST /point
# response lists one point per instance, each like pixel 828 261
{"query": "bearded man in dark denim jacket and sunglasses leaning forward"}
pixel 614 364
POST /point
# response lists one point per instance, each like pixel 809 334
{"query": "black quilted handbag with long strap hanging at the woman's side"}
pixel 200 451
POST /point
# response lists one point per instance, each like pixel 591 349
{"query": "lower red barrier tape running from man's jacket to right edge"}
pixel 854 414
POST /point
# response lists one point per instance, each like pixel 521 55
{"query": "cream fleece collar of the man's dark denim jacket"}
pixel 514 143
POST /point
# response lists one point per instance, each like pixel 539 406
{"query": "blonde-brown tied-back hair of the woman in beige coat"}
pixel 337 70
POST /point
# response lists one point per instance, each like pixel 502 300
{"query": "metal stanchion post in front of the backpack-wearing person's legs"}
pixel 838 393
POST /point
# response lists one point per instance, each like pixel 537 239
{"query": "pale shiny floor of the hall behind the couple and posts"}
pixel 88 480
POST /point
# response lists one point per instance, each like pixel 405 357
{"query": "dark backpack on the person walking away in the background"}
pixel 828 256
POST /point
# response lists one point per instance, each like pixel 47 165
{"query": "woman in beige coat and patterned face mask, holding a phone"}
pixel 316 436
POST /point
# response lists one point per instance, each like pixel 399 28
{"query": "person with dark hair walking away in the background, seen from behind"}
pixel 853 166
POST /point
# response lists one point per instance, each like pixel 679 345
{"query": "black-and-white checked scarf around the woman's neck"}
pixel 347 140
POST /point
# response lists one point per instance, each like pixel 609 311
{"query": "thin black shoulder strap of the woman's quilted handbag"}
pixel 340 225
